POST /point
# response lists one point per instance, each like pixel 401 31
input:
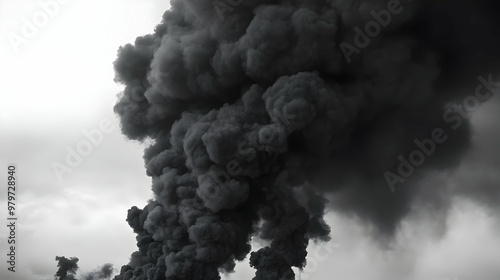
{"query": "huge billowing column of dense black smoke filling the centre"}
pixel 258 109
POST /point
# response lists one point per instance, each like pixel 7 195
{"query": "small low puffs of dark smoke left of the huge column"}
pixel 68 268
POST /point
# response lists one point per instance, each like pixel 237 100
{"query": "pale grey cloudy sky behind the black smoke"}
pixel 57 87
